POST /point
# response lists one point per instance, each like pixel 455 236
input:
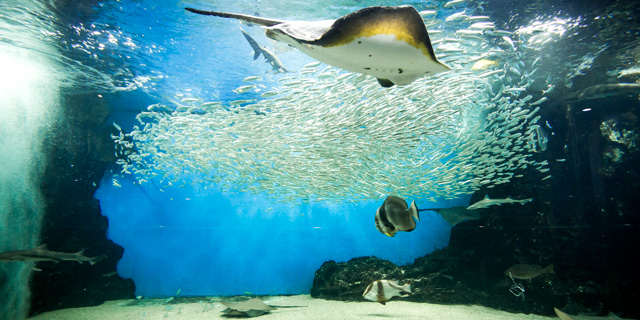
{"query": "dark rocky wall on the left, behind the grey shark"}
pixel 78 151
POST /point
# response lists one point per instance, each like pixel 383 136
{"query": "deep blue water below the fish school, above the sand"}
pixel 213 243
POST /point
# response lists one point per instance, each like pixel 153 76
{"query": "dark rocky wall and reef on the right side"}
pixel 584 220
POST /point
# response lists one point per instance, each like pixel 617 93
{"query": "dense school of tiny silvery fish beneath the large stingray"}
pixel 329 135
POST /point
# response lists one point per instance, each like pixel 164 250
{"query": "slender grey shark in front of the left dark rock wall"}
pixel 41 253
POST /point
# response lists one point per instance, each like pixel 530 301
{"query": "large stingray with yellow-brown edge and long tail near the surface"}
pixel 389 43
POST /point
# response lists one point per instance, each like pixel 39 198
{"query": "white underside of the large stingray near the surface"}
pixel 381 56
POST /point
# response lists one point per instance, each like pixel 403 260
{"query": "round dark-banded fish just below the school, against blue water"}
pixel 394 215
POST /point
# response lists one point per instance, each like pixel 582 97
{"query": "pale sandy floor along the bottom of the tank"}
pixel 312 309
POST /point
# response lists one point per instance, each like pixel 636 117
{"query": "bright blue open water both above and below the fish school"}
pixel 207 242
